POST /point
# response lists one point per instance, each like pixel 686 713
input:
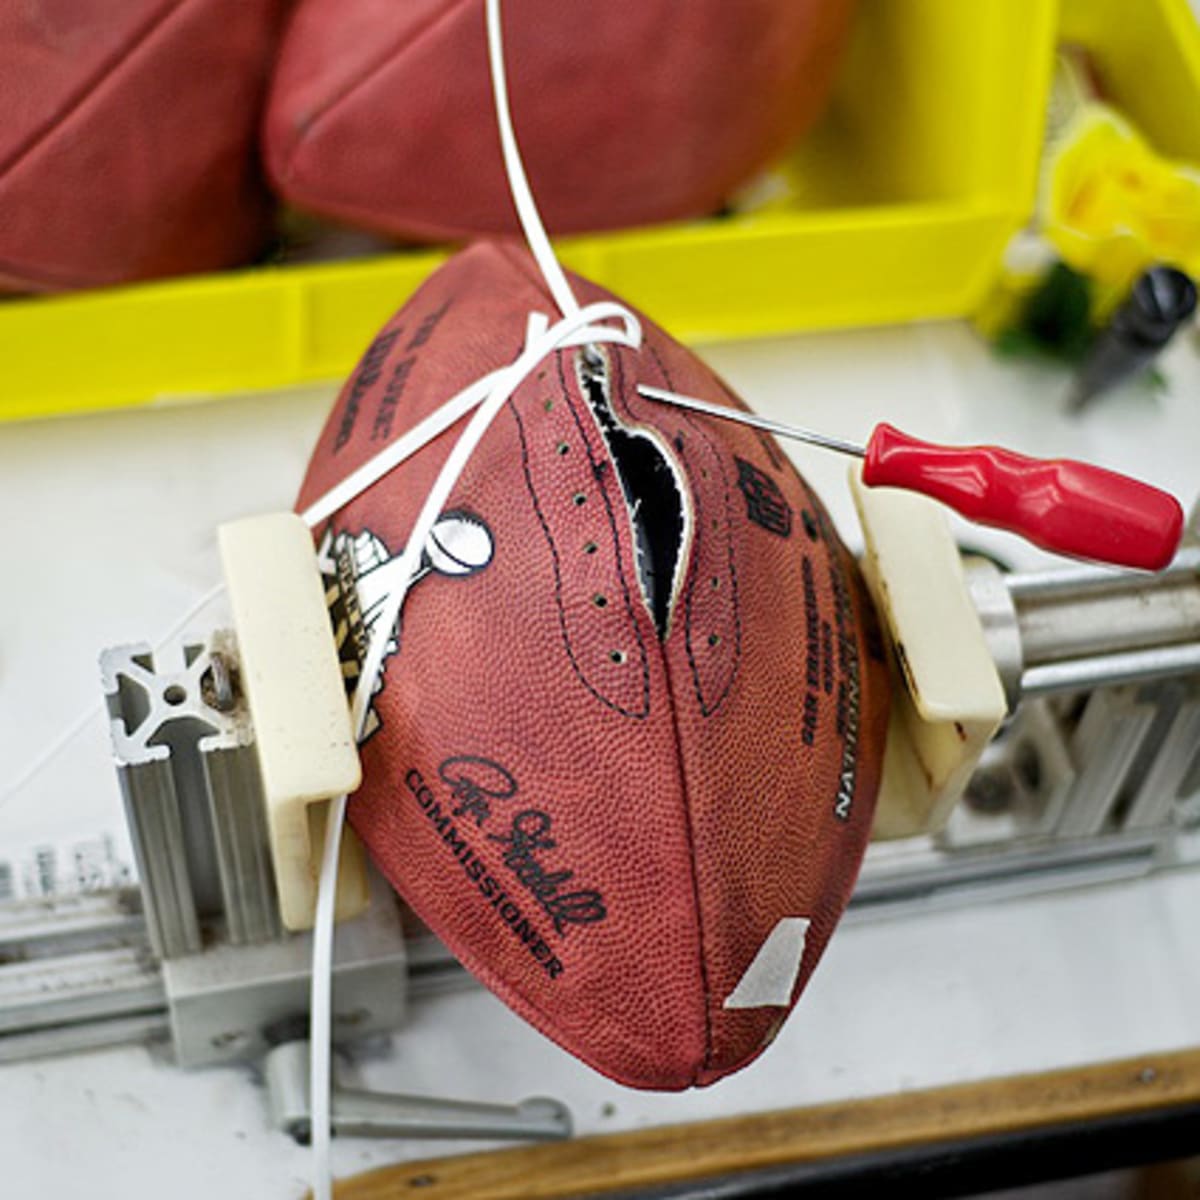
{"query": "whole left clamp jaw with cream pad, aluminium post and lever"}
pixel 227 757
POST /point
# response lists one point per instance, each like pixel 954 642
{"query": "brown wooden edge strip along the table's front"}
pixel 905 1120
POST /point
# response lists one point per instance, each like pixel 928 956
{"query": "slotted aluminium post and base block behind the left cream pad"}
pixel 201 826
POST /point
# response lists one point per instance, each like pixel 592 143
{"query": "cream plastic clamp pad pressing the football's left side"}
pixel 297 698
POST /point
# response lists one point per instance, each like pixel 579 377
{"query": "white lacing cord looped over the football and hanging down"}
pixel 487 397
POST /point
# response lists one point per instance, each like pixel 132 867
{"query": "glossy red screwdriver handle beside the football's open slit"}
pixel 1063 506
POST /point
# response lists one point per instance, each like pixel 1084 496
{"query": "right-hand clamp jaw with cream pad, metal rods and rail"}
pixel 1061 707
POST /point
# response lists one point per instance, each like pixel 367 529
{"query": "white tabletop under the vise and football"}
pixel 107 529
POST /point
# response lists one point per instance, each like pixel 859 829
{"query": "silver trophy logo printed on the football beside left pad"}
pixel 359 573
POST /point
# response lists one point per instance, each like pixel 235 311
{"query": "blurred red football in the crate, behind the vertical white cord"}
pixel 627 112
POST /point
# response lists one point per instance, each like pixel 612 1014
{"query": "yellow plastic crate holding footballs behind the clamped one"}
pixel 913 184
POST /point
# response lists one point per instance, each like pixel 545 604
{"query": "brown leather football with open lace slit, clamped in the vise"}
pixel 603 824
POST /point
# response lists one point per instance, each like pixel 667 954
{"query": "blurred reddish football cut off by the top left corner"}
pixel 129 148
